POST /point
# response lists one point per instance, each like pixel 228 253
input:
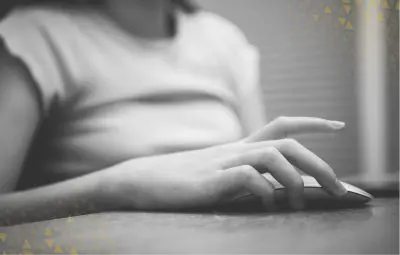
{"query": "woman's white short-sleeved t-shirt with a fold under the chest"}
pixel 108 96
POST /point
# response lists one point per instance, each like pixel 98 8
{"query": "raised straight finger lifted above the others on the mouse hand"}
pixel 284 126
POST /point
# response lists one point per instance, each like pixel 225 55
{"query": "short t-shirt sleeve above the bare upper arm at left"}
pixel 26 39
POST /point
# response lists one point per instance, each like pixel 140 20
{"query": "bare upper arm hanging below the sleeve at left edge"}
pixel 19 118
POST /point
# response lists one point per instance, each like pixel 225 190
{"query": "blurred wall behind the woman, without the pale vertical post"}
pixel 309 67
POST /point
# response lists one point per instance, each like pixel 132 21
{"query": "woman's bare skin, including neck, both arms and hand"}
pixel 186 179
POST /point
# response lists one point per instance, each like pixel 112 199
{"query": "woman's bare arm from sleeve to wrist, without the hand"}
pixel 19 118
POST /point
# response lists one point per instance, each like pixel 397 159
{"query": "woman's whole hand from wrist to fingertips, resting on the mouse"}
pixel 218 174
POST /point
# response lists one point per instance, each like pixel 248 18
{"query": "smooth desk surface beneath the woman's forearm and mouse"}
pixel 373 229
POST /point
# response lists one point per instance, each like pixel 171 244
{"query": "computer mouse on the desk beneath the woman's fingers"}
pixel 315 197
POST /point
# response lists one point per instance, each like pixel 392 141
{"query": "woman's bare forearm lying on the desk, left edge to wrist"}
pixel 81 195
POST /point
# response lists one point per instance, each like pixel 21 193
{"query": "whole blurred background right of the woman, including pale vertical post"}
pixel 335 59
